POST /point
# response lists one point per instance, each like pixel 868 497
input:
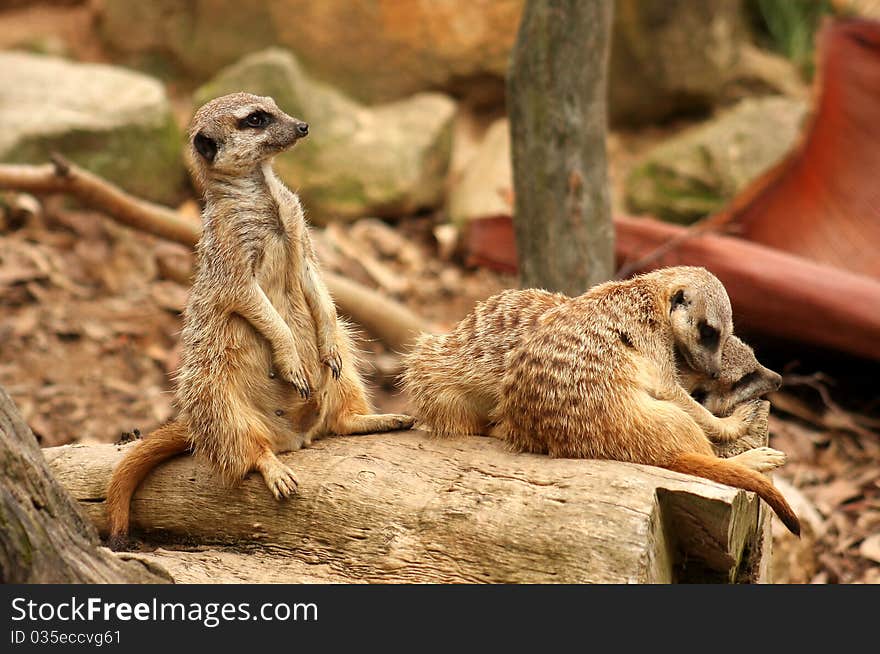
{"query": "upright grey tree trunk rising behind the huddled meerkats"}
pixel 556 98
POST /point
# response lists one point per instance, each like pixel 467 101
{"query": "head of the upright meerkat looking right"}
pixel 234 134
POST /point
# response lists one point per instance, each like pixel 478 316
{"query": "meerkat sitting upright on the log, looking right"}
pixel 266 367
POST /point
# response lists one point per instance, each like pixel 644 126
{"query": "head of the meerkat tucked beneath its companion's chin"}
pixel 742 378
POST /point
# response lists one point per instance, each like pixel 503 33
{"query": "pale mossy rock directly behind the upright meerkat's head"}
pixel 386 160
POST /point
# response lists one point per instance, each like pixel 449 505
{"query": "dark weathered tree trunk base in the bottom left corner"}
pixel 43 536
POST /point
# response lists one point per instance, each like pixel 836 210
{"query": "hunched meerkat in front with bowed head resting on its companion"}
pixel 597 379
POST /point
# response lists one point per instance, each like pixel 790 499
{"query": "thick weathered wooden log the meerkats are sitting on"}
pixel 407 507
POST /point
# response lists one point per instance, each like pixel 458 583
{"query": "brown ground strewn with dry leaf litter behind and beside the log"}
pixel 89 328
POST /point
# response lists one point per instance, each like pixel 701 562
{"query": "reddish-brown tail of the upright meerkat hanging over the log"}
pixel 162 444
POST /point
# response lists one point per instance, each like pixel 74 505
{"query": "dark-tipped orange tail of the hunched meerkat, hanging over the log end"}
pixel 725 472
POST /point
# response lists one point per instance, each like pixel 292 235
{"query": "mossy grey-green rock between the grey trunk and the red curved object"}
pixel 699 171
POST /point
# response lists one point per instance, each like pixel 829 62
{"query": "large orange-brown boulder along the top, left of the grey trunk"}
pixel 376 51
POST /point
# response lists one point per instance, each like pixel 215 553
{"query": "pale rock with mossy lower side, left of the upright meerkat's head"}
pixel 114 122
